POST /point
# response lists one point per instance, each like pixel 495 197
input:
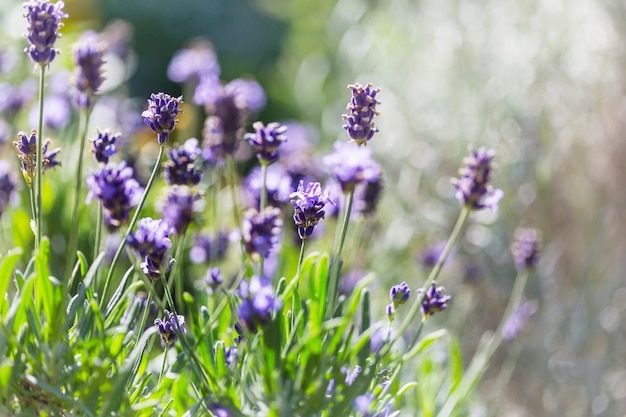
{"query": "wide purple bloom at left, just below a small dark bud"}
pixel 117 191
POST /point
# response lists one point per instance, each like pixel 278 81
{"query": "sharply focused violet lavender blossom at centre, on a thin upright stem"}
pixel 308 205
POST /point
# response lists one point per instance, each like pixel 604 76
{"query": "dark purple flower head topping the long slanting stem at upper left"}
pixel 161 114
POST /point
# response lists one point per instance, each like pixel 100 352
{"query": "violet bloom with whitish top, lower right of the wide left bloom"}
pixel 151 241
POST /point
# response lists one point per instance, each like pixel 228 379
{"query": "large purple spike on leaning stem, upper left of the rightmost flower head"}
pixel 473 189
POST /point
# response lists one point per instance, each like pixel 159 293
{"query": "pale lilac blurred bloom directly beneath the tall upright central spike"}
pixel 351 165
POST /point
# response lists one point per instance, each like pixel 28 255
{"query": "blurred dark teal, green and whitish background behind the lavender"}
pixel 541 82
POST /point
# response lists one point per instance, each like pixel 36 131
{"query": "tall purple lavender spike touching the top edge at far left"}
pixel 44 22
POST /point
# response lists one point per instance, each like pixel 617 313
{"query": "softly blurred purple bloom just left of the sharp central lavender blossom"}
pixel 260 231
